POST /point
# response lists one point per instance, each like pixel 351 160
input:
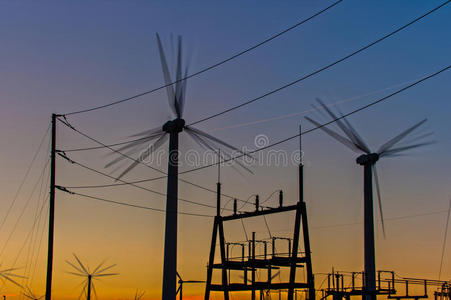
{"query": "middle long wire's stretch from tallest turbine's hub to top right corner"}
pixel 321 69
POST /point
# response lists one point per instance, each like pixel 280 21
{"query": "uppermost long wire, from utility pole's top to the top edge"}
pixel 209 67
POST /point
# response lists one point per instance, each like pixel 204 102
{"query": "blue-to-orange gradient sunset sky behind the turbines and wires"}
pixel 62 56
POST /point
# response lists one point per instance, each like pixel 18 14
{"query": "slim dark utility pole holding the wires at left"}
pixel 48 290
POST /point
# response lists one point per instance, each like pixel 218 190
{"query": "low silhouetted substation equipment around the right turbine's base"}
pixel 346 284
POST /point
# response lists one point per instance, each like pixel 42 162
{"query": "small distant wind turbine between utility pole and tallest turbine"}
pixel 90 276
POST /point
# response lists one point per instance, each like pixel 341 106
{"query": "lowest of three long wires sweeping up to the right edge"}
pixel 296 135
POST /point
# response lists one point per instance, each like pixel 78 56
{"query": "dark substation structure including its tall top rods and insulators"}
pixel 270 260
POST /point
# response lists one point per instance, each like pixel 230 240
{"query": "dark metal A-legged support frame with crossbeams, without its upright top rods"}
pixel 269 262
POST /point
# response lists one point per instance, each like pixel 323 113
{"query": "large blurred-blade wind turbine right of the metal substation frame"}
pixel 368 159
